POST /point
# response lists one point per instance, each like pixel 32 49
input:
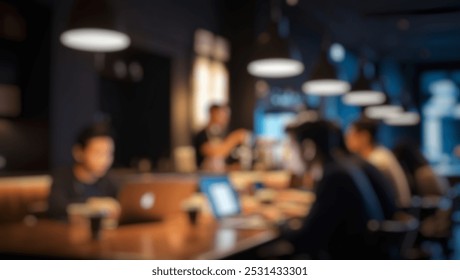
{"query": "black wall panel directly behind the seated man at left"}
pixel 139 110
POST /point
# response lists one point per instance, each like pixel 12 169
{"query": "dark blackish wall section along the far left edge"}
pixel 24 62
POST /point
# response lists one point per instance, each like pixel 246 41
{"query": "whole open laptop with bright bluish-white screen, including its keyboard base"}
pixel 225 204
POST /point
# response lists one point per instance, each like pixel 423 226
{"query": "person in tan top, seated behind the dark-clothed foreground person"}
pixel 361 139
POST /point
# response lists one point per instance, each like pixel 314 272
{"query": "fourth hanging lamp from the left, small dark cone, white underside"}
pixel 361 94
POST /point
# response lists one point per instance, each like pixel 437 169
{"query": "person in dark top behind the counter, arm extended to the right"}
pixel 213 144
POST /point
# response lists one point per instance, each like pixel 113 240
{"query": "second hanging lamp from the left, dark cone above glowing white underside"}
pixel 274 57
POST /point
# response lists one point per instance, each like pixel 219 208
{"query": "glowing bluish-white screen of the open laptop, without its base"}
pixel 221 195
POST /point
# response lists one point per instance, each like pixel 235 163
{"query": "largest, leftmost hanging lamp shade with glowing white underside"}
pixel 93 27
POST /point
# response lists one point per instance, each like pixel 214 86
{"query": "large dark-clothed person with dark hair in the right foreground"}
pixel 349 193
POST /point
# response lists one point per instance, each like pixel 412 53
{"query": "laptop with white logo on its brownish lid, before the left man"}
pixel 151 202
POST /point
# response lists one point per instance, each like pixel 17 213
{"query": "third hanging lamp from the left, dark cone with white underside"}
pixel 323 80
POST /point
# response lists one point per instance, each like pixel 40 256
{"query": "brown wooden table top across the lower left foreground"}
pixel 174 238
